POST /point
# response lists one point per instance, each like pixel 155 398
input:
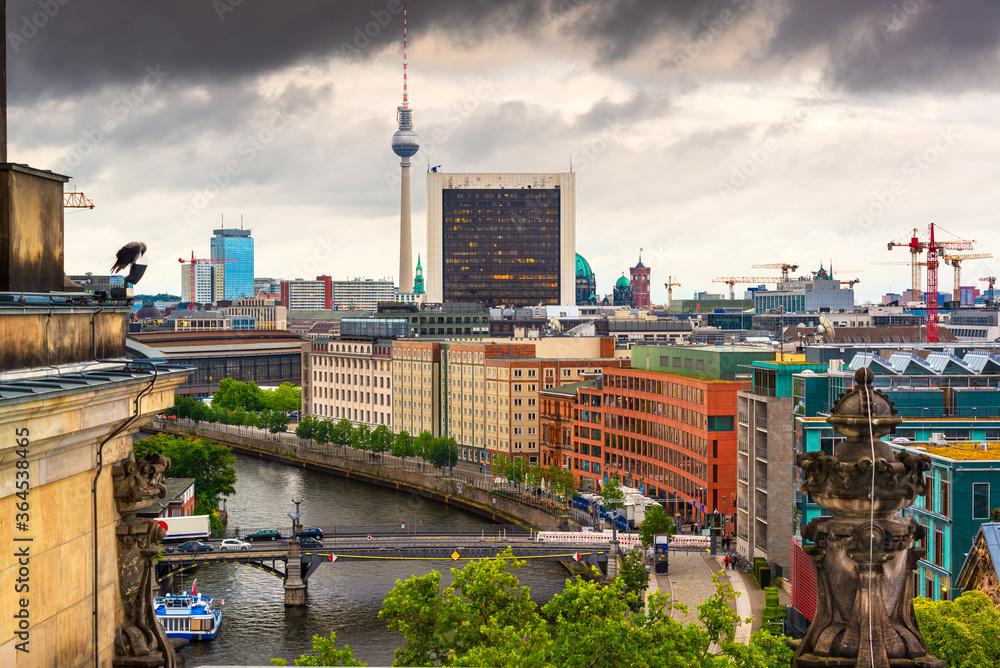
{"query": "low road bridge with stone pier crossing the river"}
pixel 278 558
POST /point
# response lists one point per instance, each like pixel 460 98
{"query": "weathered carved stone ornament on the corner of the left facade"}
pixel 140 641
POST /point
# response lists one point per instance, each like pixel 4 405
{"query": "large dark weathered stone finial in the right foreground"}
pixel 864 556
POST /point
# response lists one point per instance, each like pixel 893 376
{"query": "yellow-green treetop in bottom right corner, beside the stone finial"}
pixel 964 632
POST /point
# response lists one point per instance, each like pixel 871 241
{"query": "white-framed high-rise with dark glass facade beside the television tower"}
pixel 501 238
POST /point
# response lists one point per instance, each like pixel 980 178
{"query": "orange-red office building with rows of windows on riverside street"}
pixel 671 435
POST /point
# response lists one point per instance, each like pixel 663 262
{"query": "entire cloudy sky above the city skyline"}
pixel 715 134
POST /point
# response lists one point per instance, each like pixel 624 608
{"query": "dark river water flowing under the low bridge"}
pixel 343 597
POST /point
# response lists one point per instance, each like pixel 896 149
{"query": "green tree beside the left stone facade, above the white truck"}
pixel 210 464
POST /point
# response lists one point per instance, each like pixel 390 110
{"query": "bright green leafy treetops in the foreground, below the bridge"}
pixel 486 618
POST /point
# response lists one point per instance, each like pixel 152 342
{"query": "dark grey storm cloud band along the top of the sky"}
pixel 67 47
